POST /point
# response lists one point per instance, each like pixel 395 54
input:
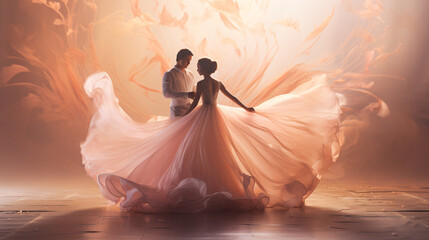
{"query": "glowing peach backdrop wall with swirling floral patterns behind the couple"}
pixel 371 51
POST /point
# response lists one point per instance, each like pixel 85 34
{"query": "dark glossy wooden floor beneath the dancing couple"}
pixel 336 210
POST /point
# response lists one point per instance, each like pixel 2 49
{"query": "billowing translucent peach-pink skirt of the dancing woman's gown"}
pixel 216 157
